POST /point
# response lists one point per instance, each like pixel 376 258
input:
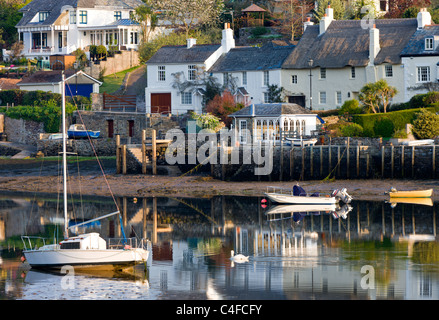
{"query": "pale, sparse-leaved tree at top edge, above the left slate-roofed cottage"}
pixel 190 13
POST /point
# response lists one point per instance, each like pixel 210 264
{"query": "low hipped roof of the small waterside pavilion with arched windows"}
pixel 270 109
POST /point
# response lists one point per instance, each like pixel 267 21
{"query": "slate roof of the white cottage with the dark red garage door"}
pixel 182 54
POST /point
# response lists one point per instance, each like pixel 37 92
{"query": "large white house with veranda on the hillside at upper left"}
pixel 60 27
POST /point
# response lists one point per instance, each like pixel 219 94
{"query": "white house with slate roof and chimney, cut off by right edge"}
pixel 421 58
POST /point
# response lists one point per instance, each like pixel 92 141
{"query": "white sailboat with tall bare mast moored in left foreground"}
pixel 87 250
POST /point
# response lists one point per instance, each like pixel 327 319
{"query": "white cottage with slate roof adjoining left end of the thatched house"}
pixel 251 70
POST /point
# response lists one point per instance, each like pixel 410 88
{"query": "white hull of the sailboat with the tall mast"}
pixel 84 257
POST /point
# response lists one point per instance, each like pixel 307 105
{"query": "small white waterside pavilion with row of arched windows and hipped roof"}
pixel 265 122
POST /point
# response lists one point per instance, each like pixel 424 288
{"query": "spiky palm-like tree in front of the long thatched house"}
pixel 376 95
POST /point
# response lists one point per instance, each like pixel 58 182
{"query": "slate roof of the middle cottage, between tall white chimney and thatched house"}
pixel 252 58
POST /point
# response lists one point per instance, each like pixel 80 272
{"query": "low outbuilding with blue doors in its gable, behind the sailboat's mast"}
pixel 77 83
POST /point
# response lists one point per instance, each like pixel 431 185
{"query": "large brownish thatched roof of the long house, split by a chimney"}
pixel 346 43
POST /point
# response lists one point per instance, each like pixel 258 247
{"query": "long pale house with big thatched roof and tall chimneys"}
pixel 335 59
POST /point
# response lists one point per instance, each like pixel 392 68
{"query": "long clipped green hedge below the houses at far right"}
pixel 399 119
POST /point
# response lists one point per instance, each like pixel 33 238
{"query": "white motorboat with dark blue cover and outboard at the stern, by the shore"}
pixel 298 196
